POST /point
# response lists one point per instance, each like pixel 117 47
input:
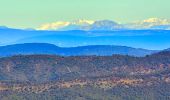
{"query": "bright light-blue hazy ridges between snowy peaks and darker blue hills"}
pixel 148 39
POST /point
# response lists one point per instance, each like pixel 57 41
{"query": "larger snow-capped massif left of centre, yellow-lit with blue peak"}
pixel 82 25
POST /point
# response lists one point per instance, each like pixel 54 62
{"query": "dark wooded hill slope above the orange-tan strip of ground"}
pixel 44 68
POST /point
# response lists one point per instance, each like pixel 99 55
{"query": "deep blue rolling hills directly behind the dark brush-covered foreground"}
pixel 43 48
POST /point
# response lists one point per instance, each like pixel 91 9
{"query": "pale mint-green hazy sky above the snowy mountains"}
pixel 32 13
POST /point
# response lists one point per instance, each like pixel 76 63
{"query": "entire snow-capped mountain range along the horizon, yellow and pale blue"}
pixel 89 25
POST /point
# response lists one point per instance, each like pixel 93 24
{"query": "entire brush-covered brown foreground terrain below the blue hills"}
pixel 117 77
